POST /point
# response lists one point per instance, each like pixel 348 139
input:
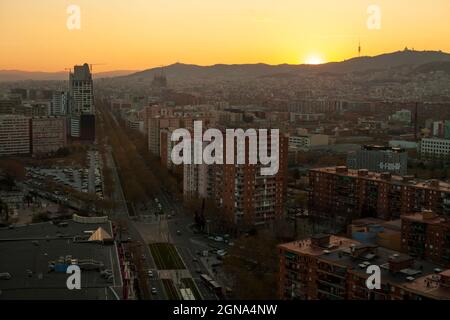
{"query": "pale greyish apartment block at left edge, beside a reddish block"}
pixel 14 135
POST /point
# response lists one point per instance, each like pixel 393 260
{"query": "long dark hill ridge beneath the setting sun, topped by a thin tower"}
pixel 380 62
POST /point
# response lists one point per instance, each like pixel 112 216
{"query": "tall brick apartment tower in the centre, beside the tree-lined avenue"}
pixel 246 197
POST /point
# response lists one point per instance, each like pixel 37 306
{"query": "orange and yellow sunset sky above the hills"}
pixel 138 34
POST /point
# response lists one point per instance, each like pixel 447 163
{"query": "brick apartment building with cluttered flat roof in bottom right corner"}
pixel 334 268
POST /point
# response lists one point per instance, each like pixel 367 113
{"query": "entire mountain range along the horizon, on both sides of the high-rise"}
pixel 419 61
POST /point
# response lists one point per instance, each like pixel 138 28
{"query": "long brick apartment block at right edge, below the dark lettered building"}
pixel 341 195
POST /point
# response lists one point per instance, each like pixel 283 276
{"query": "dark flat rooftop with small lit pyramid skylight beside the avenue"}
pixel 35 258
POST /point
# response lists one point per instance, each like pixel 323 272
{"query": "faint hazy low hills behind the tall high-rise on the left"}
pixel 18 75
